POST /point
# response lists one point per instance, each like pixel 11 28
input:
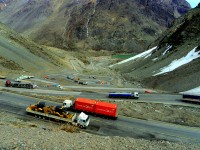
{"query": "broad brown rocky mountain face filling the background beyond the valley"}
pixel 121 25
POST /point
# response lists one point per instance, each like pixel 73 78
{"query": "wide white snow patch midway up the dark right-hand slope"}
pixel 193 54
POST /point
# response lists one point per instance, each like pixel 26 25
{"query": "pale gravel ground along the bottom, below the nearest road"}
pixel 18 134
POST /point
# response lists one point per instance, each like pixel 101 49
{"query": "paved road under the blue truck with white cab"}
pixel 173 99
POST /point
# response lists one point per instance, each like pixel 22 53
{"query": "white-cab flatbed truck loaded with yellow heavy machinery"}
pixel 58 113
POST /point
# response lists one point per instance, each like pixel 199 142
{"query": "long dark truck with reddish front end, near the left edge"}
pixel 20 85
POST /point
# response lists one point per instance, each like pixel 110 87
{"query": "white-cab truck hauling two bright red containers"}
pixel 96 107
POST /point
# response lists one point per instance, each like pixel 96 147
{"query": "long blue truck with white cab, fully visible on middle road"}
pixel 134 95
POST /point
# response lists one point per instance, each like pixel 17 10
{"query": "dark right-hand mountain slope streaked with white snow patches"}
pixel 174 64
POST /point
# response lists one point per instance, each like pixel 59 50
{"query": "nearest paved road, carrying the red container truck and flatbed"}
pixel 123 126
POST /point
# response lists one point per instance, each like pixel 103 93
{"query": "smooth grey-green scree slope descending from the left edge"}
pixel 18 53
